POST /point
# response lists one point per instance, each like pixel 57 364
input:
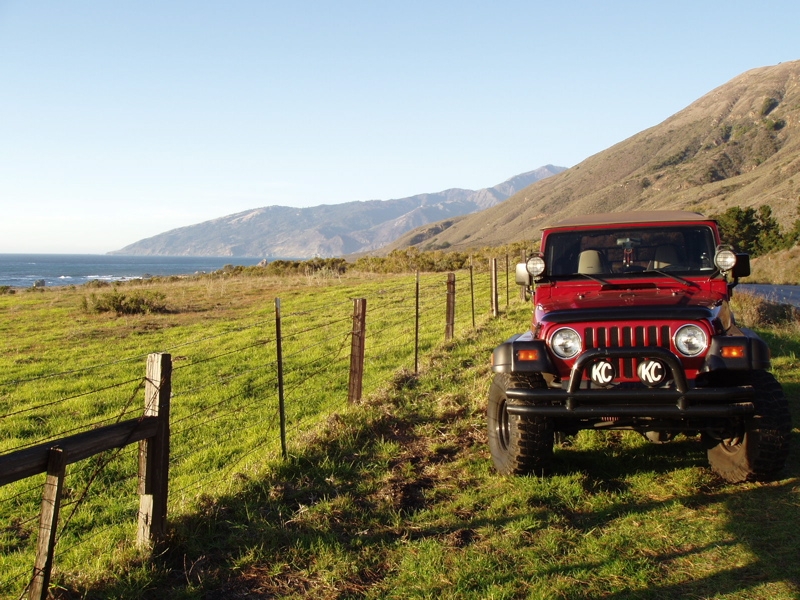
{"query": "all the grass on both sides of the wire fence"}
pixel 396 497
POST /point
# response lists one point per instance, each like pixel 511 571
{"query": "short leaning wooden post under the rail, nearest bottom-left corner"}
pixel 48 523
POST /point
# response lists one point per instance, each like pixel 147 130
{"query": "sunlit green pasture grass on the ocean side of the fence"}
pixel 67 369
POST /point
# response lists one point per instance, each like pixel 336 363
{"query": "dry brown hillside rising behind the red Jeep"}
pixel 739 145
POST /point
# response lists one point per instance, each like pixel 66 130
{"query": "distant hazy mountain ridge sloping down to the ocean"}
pixel 326 230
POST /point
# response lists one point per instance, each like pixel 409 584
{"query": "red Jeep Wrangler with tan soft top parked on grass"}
pixel 632 329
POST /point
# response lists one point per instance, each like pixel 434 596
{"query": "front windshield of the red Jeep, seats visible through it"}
pixel 630 251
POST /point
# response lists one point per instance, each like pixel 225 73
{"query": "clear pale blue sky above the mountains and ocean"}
pixel 120 120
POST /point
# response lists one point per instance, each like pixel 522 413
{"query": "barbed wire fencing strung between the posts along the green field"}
pixel 225 419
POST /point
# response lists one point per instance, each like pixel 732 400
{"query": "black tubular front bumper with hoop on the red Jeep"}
pixel 678 401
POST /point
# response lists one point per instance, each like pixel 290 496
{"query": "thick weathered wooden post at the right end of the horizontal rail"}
pixel 154 452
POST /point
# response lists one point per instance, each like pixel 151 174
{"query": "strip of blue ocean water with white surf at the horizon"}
pixel 23 270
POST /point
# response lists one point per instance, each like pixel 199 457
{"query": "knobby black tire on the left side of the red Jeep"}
pixel 519 445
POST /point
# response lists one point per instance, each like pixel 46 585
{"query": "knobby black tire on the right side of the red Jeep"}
pixel 760 451
